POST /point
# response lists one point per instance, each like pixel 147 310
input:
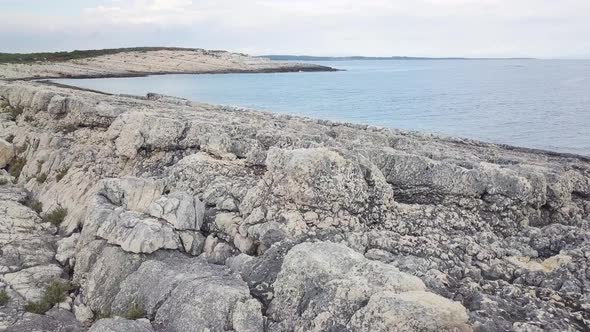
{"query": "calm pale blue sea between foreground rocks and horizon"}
pixel 533 103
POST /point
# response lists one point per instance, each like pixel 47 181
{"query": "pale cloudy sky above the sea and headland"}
pixel 438 28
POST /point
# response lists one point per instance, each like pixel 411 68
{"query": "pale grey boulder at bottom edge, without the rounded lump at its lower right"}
pixel 341 281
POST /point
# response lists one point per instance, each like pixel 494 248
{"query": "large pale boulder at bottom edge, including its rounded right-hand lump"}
pixel 322 285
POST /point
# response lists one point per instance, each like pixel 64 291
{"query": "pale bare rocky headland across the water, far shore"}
pixel 152 62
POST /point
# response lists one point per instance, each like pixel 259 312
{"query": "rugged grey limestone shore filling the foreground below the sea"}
pixel 159 214
